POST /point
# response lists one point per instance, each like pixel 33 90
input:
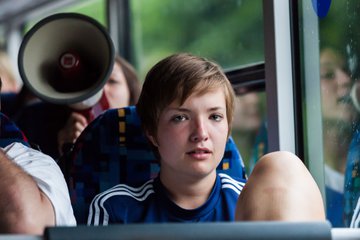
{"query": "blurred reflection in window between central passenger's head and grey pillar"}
pixel 247 125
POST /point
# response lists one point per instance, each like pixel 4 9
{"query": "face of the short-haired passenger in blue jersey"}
pixel 191 138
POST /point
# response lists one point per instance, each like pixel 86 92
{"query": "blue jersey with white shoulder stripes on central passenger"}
pixel 151 204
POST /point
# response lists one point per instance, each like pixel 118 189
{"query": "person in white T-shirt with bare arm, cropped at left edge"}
pixel 33 191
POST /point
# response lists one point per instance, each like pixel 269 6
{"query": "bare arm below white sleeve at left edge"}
pixel 24 208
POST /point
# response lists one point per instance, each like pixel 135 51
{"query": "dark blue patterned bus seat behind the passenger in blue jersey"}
pixel 112 150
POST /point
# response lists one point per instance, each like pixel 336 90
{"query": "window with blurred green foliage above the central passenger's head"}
pixel 229 32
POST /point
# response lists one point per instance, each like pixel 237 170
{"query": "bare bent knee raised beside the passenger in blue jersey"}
pixel 280 188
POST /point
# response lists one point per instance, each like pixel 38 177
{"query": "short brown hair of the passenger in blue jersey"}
pixel 176 78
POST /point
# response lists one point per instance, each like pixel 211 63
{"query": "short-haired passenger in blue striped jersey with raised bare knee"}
pixel 186 109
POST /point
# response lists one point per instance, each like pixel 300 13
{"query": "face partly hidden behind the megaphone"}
pixel 116 89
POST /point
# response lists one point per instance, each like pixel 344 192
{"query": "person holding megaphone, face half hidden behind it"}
pixel 56 127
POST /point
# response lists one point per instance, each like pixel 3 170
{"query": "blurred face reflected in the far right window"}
pixel 335 85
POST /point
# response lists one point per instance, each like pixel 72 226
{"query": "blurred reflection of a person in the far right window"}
pixel 339 123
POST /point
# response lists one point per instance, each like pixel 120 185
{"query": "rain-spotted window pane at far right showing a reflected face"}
pixel 339 51
